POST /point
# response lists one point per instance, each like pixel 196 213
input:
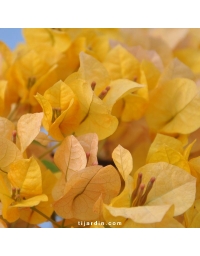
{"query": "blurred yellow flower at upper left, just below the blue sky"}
pixel 24 78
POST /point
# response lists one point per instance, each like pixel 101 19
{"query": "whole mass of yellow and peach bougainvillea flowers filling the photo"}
pixel 100 126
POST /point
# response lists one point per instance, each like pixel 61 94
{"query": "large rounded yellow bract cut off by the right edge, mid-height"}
pixel 174 107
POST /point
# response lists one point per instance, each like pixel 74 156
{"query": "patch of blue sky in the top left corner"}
pixel 11 36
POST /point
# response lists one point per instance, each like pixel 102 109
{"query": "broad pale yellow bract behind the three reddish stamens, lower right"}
pixel 171 183
